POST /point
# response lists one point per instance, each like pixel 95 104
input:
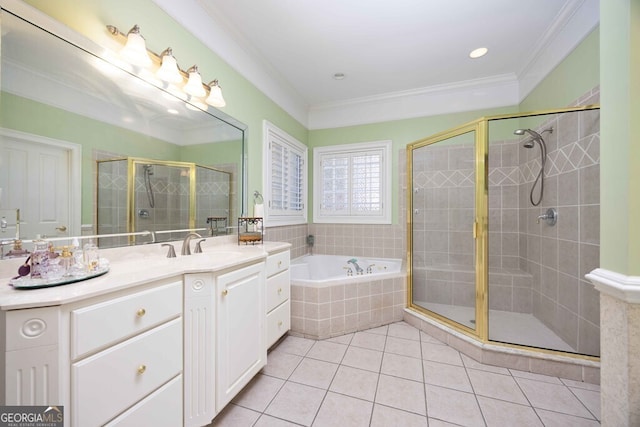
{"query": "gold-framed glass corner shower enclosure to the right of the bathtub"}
pixel 503 226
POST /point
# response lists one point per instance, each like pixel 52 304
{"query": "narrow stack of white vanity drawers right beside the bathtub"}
pixel 278 293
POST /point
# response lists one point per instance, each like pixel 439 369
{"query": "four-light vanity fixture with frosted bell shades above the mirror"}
pixel 167 70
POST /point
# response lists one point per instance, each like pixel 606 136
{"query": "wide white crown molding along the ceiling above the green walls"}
pixel 576 20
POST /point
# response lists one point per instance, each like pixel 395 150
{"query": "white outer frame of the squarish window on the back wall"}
pixel 352 150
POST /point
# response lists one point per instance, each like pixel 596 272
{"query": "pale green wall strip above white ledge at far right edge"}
pixel 620 136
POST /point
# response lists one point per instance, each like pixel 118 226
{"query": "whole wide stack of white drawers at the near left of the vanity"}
pixel 123 351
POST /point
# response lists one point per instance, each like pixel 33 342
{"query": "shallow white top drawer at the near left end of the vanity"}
pixel 105 323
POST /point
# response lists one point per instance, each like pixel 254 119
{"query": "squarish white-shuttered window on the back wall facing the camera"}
pixel 352 183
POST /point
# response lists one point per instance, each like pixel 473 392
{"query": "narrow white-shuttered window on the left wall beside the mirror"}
pixel 285 178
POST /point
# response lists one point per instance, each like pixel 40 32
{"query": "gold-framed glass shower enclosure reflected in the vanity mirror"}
pixel 137 194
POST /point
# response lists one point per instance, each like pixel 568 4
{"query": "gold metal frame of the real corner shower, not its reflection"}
pixel 479 228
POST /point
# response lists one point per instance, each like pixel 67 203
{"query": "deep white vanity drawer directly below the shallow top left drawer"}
pixel 109 382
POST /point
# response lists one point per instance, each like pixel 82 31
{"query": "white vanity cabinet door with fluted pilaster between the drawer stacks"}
pixel 225 338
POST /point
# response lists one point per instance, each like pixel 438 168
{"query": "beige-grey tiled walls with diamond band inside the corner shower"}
pixel 533 268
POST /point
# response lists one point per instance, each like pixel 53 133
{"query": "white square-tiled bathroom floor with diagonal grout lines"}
pixel 396 375
